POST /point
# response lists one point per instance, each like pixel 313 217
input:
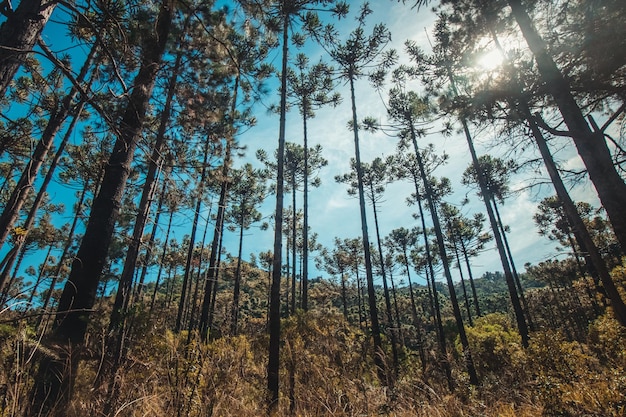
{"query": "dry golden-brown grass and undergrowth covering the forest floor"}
pixel 333 377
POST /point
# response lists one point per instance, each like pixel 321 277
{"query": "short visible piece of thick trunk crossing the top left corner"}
pixel 18 35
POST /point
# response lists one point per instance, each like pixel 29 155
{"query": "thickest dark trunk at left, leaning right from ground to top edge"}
pixel 54 382
